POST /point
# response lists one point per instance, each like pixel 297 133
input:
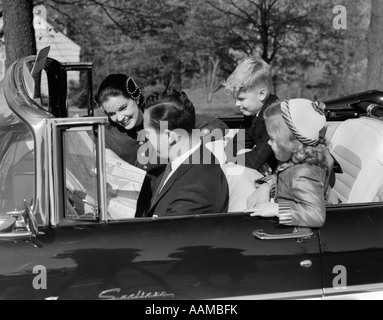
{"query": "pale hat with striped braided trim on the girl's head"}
pixel 305 118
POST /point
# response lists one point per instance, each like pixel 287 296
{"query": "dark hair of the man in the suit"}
pixel 172 106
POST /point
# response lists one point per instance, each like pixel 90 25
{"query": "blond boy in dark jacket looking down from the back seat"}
pixel 250 85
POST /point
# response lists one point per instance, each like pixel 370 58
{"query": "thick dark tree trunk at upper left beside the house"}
pixel 18 30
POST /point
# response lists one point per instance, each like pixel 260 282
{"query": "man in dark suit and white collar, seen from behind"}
pixel 193 182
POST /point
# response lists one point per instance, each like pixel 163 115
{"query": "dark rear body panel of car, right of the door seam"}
pixel 352 251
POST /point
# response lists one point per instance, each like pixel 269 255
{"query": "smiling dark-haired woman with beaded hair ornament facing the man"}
pixel 121 99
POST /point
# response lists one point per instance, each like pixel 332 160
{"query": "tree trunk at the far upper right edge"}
pixel 375 47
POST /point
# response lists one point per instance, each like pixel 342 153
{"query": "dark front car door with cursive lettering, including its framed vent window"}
pixel 83 254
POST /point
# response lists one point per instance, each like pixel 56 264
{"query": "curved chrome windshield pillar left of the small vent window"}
pixel 35 117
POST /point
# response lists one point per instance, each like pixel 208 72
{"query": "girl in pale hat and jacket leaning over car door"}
pixel 296 128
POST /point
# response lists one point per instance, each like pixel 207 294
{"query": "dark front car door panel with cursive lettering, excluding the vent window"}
pixel 199 257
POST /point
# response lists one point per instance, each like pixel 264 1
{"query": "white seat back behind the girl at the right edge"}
pixel 357 145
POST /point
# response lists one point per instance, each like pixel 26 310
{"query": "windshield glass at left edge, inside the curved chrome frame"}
pixel 17 174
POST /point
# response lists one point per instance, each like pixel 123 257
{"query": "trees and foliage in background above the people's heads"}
pixel 196 44
